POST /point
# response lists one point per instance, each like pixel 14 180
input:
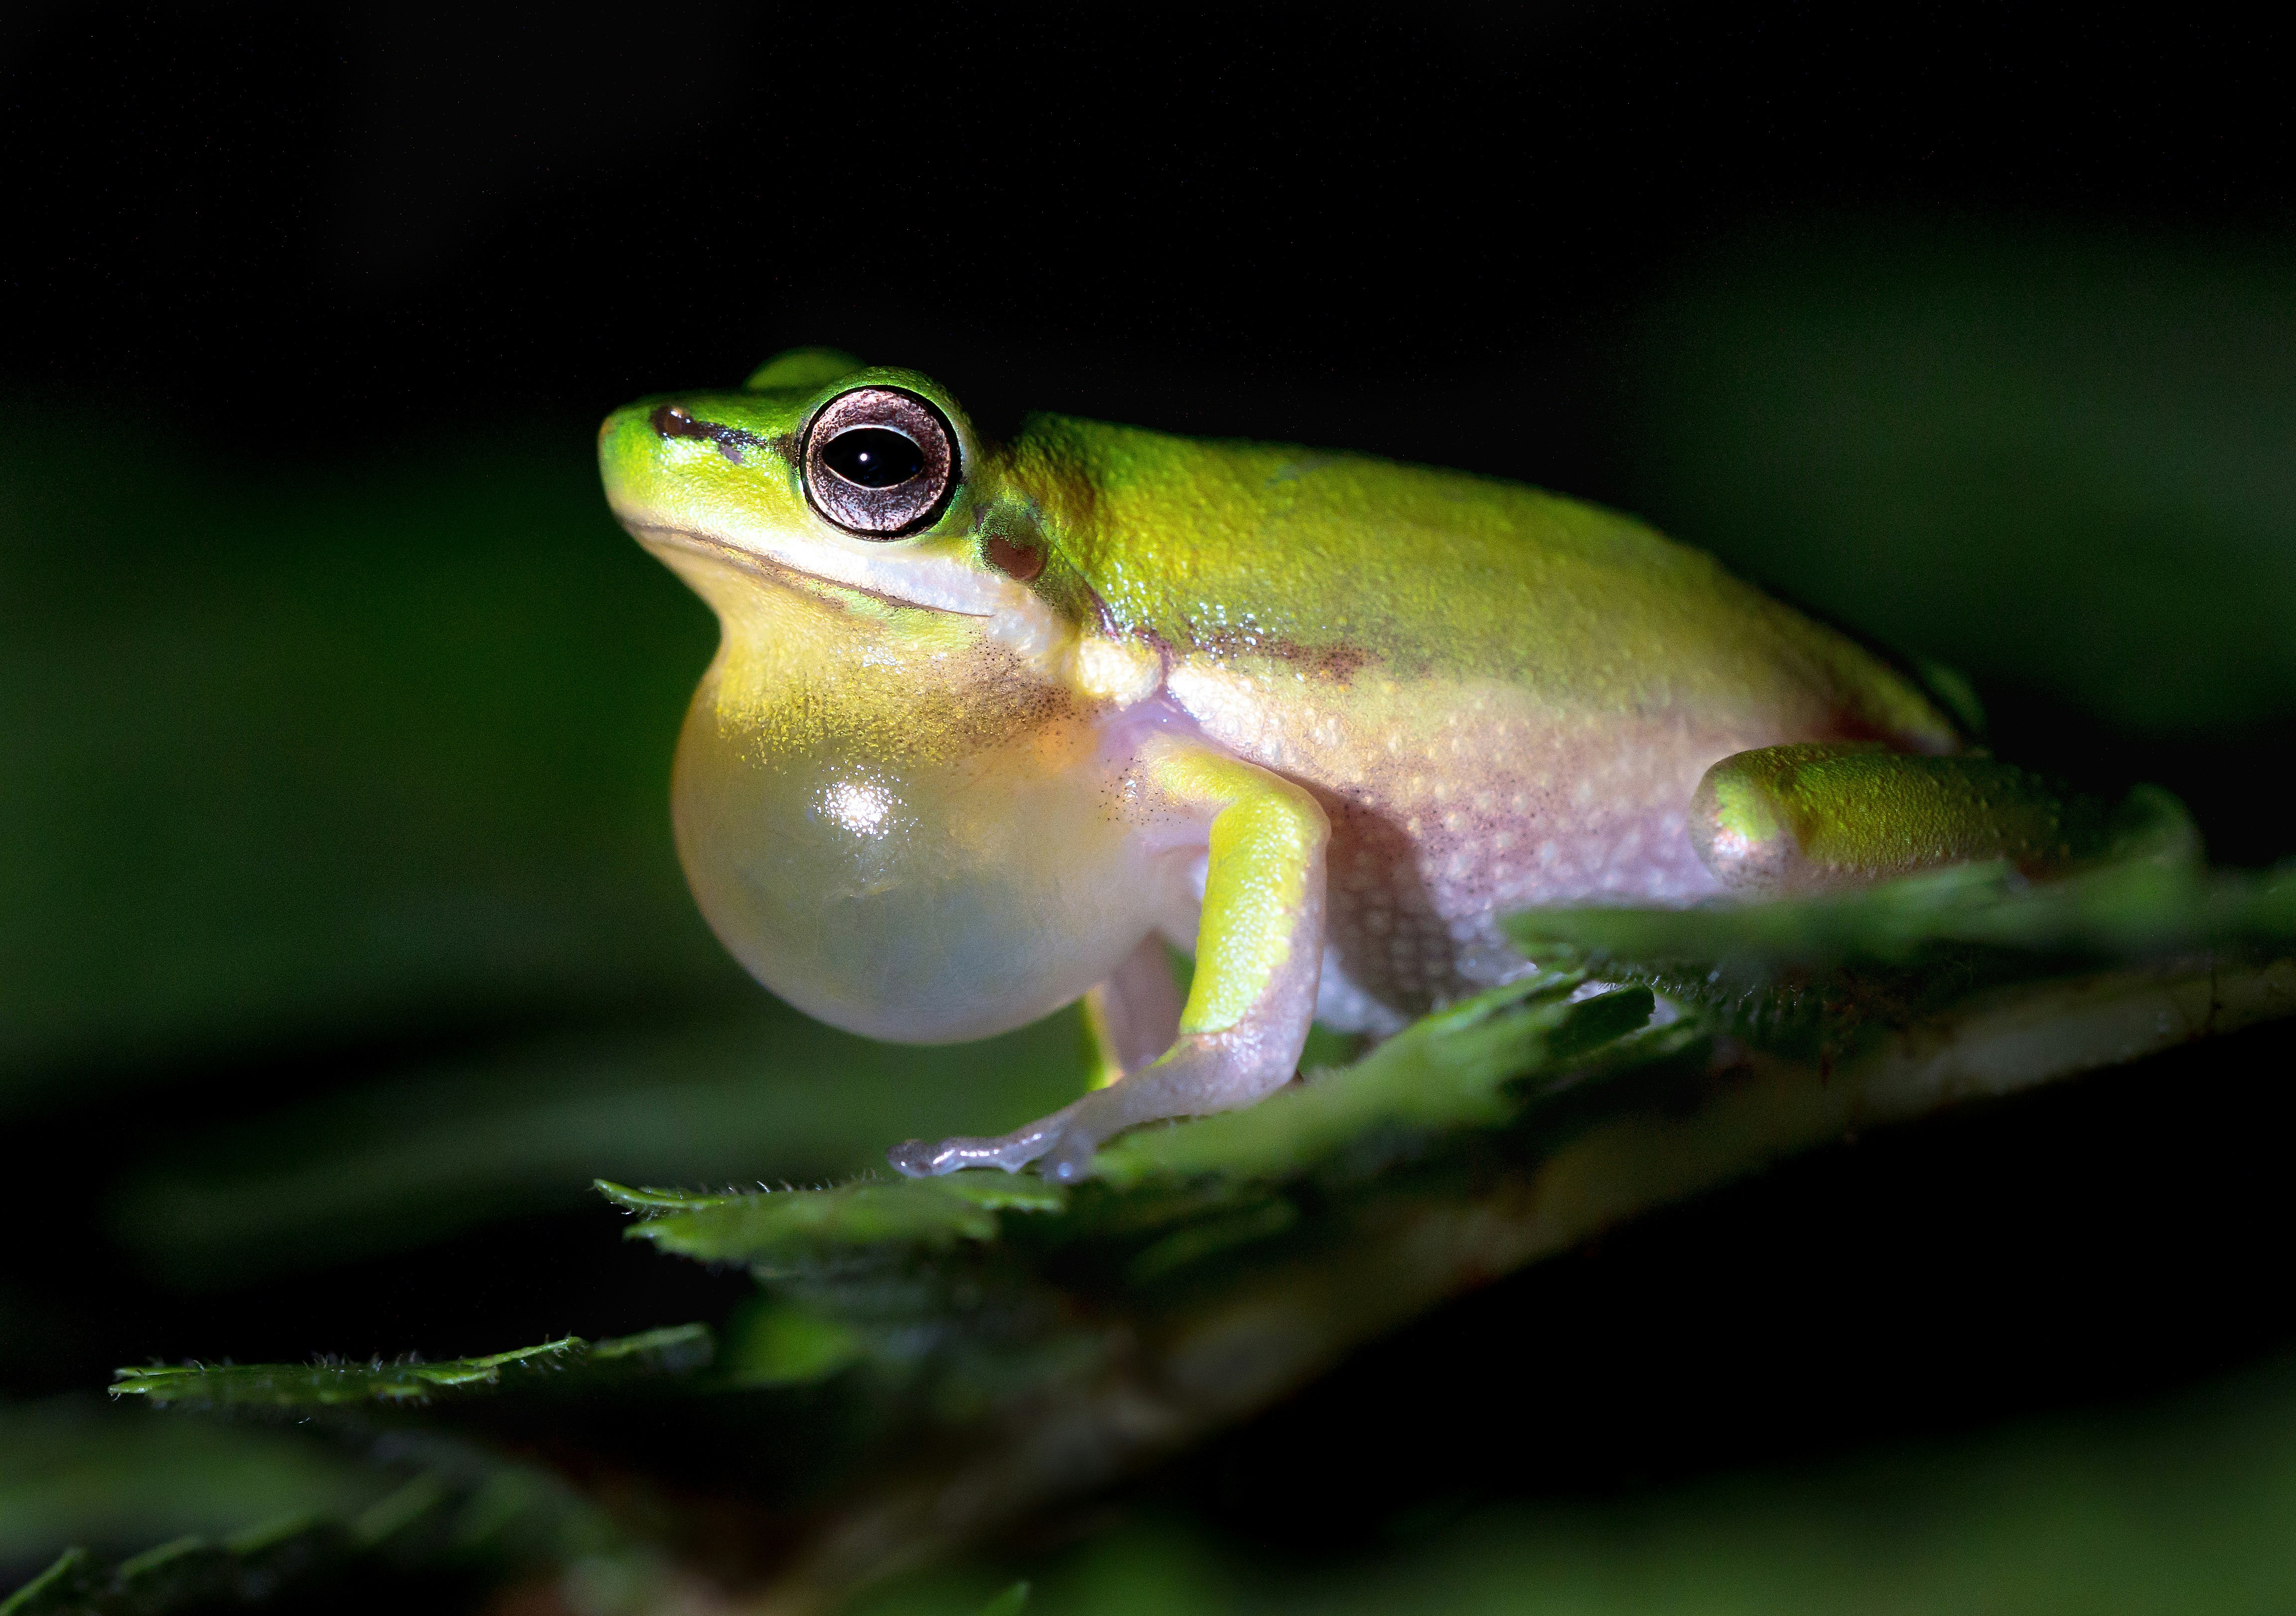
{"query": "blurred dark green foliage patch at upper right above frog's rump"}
pixel 2049 460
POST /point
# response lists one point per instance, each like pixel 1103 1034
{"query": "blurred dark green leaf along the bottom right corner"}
pixel 2175 1507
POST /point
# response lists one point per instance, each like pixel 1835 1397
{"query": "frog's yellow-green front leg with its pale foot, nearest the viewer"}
pixel 1259 956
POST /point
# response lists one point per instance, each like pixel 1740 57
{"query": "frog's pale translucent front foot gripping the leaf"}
pixel 1200 1075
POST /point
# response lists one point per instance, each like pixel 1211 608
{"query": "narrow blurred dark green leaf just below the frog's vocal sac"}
pixel 763 1096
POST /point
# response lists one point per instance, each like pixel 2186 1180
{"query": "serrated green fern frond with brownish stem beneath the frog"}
pixel 1230 1259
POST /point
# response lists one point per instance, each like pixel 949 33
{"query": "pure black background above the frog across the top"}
pixel 334 231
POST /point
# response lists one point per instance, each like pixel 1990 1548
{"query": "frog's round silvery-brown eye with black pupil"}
pixel 881 463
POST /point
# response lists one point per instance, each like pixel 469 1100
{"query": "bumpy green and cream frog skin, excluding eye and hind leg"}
pixel 1317 717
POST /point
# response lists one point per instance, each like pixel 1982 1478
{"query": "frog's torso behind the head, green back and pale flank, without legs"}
pixel 1503 697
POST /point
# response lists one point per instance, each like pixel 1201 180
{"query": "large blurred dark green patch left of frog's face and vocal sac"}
pixel 307 759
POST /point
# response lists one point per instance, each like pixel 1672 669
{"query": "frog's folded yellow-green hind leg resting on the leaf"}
pixel 1824 816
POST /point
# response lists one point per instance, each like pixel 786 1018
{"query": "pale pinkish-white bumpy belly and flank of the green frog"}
pixel 1455 811
